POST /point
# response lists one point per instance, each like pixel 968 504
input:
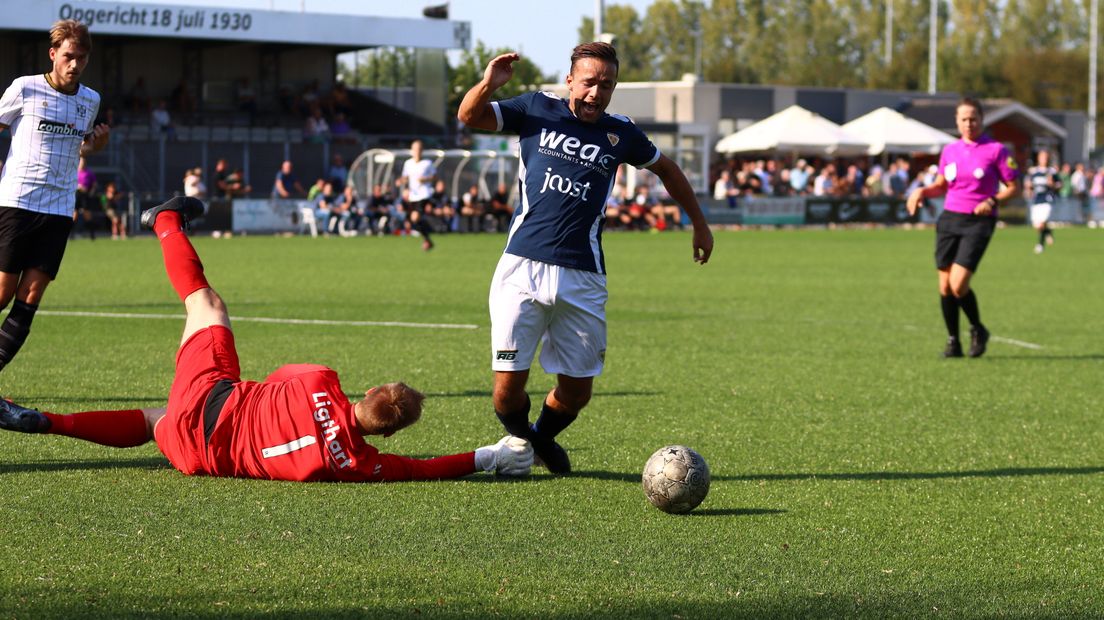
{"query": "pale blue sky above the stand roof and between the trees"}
pixel 543 30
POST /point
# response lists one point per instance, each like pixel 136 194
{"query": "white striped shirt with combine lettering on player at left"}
pixel 48 127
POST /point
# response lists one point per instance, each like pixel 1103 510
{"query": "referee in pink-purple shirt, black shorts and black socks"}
pixel 976 174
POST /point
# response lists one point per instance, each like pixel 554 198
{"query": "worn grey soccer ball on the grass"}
pixel 676 479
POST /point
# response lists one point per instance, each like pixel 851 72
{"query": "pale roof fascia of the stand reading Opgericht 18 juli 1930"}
pixel 237 25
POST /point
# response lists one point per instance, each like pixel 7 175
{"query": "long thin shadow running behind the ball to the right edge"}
pixel 875 476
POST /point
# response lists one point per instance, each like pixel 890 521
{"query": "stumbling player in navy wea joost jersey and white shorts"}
pixel 550 285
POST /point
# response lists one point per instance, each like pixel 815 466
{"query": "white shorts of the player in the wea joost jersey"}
pixel 562 309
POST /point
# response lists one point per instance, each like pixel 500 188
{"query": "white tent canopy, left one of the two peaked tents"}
pixel 795 131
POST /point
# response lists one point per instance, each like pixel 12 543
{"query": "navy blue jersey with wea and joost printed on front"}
pixel 568 170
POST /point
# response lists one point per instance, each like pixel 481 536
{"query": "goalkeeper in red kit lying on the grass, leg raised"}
pixel 295 425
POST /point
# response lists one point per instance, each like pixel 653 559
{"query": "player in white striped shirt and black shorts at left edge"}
pixel 52 120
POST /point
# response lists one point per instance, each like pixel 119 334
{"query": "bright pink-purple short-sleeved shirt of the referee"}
pixel 974 173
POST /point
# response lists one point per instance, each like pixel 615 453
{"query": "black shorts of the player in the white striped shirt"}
pixel 33 241
